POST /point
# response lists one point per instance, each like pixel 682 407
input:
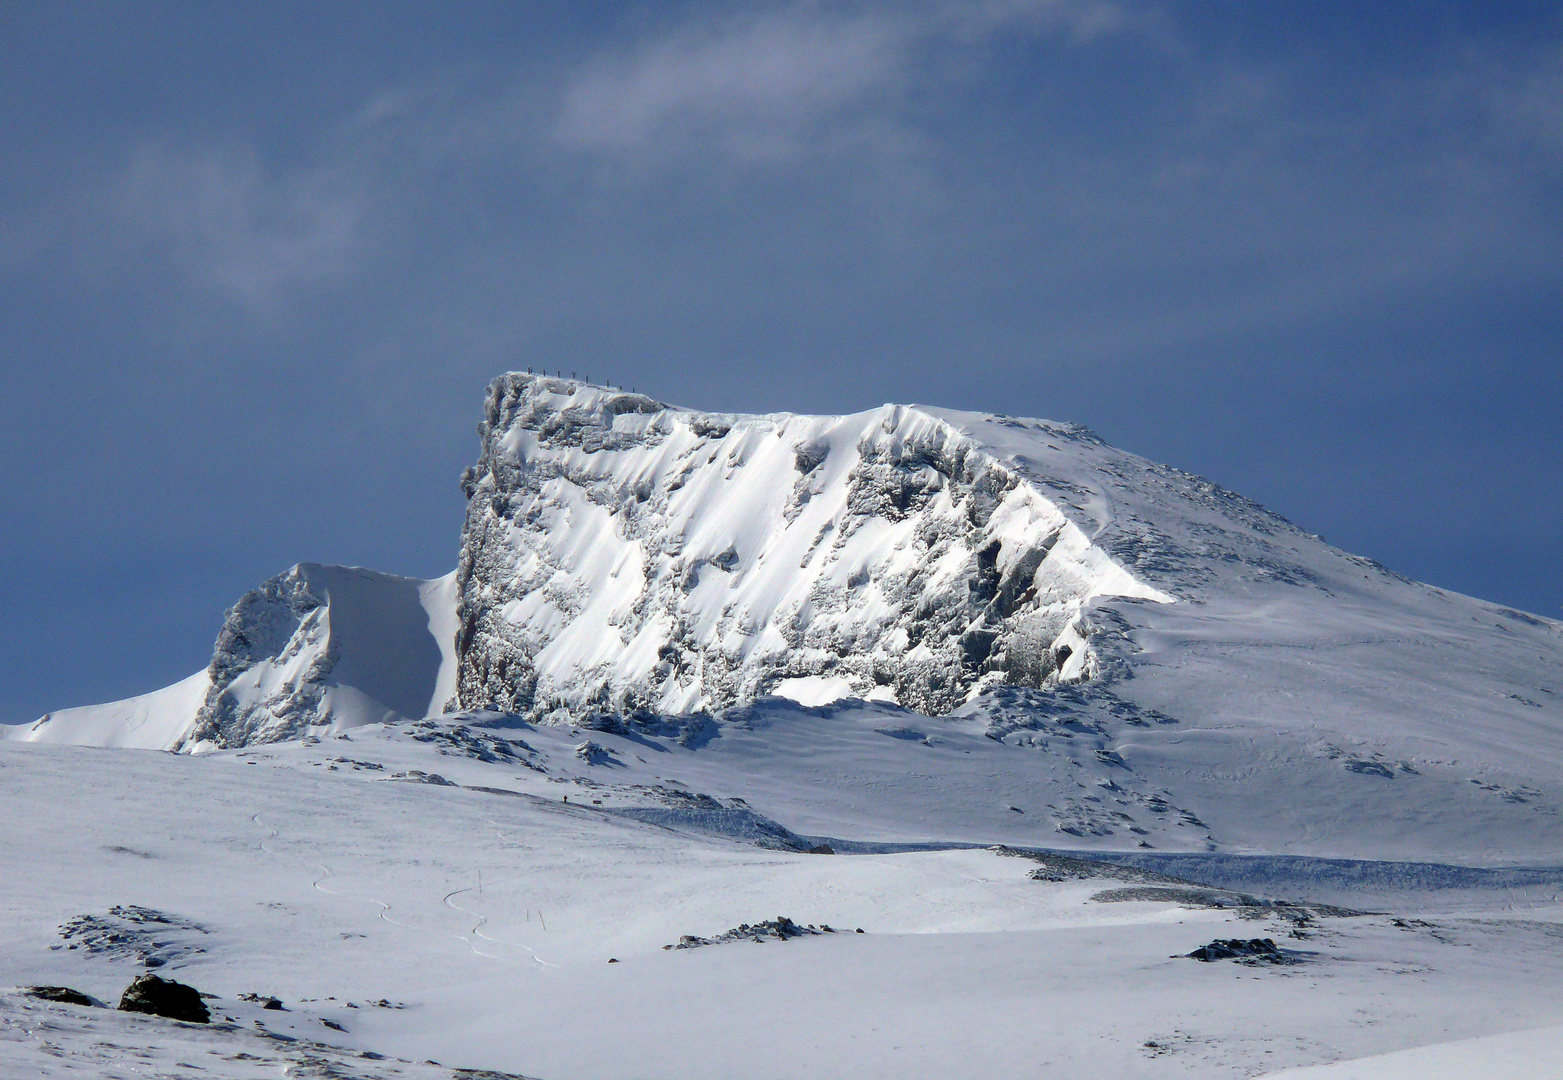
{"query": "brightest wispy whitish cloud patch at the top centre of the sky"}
pixel 767 84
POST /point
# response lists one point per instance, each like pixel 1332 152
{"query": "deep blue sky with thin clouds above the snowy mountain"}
pixel 257 265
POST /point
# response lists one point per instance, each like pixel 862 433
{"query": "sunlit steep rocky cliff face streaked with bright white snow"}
pixel 624 556
